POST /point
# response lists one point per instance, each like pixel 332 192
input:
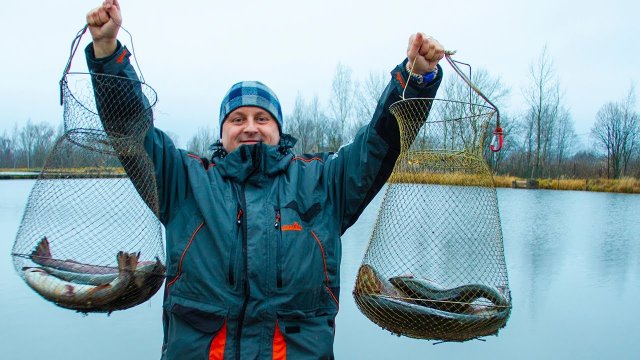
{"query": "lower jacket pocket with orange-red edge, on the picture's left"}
pixel 194 334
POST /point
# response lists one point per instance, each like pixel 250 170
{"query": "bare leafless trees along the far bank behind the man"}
pixel 540 138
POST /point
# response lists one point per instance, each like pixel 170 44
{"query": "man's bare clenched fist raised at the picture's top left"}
pixel 104 23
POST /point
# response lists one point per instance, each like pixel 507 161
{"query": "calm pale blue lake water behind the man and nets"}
pixel 574 271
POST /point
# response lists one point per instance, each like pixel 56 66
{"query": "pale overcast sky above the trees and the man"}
pixel 191 51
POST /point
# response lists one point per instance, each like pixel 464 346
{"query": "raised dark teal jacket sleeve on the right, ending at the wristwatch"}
pixel 357 172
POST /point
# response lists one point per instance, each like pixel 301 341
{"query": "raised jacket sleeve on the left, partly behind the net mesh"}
pixel 125 112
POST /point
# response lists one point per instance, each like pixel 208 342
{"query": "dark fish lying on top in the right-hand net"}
pixel 460 299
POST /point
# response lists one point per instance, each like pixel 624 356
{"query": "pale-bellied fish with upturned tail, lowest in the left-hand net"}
pixel 82 297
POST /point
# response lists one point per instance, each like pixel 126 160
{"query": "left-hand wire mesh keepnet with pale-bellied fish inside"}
pixel 90 238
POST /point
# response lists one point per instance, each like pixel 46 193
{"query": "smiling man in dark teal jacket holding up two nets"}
pixel 253 234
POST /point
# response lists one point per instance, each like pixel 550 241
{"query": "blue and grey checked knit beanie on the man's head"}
pixel 251 93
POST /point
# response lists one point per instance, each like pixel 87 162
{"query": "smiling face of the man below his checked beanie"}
pixel 249 125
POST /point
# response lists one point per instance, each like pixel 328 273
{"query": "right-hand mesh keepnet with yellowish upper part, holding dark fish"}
pixel 434 267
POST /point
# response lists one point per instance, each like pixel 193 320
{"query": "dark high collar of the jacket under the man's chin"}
pixel 256 159
